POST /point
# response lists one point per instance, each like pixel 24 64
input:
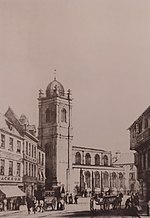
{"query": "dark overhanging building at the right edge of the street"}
pixel 140 142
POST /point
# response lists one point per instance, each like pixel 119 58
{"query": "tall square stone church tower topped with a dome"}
pixel 55 133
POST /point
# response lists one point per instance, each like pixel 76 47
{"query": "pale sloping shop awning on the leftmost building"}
pixel 12 191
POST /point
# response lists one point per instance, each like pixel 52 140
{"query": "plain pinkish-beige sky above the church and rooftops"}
pixel 101 51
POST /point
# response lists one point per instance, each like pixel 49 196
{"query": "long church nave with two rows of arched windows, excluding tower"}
pixel 93 171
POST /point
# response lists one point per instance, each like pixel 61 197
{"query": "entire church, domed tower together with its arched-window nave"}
pixel 79 169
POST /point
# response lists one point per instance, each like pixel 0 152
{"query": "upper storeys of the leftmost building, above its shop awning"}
pixel 11 154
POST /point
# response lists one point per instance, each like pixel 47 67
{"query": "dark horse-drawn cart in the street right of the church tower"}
pixel 103 203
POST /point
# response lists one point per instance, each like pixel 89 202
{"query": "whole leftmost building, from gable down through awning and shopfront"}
pixel 11 164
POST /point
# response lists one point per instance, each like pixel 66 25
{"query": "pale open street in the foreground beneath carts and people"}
pixel 82 209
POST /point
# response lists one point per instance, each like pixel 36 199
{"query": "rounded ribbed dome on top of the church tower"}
pixel 54 88
